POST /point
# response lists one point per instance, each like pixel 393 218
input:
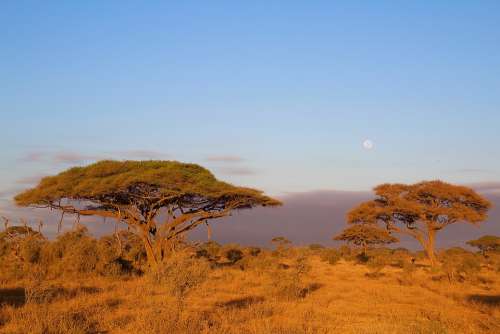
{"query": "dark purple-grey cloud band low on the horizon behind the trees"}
pixel 309 217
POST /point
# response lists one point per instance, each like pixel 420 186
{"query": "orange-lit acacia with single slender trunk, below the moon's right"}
pixel 421 210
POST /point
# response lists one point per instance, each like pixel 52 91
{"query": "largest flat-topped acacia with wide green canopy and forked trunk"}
pixel 161 200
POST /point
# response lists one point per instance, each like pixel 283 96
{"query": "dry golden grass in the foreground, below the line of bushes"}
pixel 264 298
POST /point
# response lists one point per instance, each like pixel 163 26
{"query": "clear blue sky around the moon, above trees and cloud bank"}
pixel 278 95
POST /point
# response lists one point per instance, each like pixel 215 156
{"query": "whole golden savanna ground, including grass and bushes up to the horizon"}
pixel 80 284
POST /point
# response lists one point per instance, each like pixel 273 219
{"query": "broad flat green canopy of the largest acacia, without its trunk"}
pixel 126 182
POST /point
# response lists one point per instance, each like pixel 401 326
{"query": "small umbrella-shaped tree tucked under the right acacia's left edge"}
pixel 365 235
